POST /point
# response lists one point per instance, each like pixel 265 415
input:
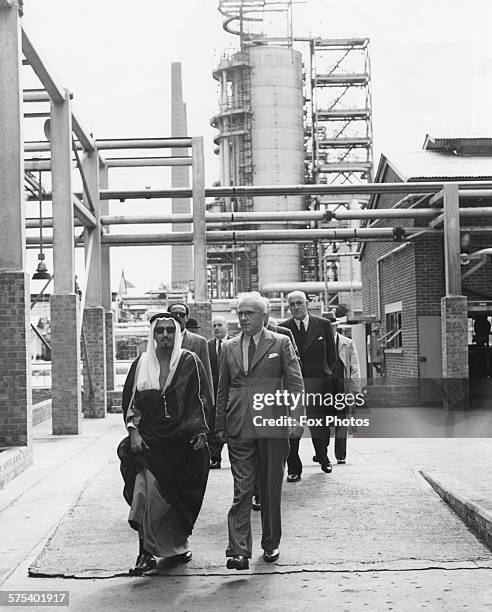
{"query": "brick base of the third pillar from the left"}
pixel 94 362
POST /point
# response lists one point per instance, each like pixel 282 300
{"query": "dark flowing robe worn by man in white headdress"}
pixel 181 472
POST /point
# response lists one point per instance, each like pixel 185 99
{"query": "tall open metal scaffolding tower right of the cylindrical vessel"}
pixel 339 145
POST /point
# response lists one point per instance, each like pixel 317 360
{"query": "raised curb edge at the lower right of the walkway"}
pixel 473 510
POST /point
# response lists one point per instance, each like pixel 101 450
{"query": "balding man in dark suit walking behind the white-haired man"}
pixel 315 341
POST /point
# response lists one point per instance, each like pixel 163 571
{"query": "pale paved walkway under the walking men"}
pixel 372 535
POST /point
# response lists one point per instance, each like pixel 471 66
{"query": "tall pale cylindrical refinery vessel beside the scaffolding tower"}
pixel 277 136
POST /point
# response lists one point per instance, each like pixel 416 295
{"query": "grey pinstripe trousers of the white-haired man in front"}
pixel 249 456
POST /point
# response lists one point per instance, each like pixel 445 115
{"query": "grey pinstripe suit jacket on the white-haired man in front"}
pixel 275 367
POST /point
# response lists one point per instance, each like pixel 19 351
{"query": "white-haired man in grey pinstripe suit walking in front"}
pixel 254 363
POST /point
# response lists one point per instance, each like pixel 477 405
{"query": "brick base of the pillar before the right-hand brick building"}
pixel 454 352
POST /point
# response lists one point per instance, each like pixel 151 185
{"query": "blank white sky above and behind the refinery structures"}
pixel 431 68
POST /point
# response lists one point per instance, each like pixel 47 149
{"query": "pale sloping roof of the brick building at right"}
pixel 429 165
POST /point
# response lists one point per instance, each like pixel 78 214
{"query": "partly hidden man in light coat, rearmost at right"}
pixel 347 379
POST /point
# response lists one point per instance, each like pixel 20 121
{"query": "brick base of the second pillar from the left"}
pixel 66 403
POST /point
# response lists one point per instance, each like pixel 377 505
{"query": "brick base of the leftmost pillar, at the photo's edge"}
pixel 15 360
